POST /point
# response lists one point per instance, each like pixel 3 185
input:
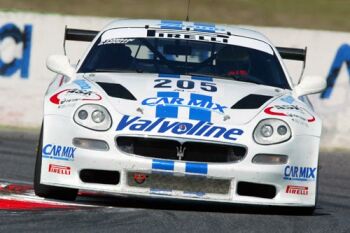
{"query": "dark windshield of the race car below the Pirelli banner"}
pixel 186 57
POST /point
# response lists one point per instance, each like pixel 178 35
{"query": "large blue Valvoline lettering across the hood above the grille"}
pixel 161 125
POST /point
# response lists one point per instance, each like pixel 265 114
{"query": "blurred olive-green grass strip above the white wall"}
pixel 317 14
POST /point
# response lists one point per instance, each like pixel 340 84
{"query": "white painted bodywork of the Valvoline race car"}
pixel 295 181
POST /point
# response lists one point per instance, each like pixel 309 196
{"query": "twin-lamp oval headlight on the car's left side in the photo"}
pixel 93 116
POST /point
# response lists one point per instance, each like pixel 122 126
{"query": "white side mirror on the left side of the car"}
pixel 60 65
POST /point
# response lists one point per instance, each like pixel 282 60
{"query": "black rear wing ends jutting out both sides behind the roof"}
pixel 88 36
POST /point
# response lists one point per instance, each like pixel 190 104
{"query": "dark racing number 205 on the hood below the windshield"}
pixel 185 84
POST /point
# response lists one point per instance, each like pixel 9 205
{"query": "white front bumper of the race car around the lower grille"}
pixel 301 150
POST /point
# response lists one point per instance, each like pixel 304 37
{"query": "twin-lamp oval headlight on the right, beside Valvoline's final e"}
pixel 271 131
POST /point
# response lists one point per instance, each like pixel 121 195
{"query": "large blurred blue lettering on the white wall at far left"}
pixel 22 64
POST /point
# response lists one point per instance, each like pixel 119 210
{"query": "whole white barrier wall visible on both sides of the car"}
pixel 26 40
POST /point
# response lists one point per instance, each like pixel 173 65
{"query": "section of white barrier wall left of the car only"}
pixel 22 95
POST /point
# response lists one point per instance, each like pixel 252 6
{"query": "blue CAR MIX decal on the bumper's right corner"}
pixel 299 173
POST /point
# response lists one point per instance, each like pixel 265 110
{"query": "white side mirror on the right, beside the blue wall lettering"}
pixel 310 85
